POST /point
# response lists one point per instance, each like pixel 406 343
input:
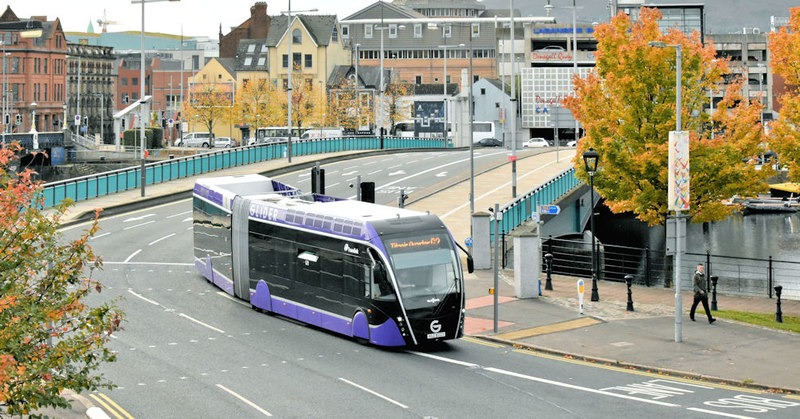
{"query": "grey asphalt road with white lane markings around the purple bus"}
pixel 189 350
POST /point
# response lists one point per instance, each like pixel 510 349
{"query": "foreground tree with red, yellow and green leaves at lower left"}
pixel 51 339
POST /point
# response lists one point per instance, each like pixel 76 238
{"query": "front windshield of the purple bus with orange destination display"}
pixel 425 267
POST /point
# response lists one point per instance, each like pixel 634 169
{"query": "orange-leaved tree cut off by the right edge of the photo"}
pixel 784 47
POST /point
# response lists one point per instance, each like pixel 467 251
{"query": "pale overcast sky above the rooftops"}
pixel 203 17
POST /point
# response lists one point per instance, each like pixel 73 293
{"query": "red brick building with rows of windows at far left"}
pixel 36 73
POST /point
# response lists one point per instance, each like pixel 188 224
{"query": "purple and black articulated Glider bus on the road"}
pixel 386 275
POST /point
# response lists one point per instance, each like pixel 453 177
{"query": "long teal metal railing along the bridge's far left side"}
pixel 106 183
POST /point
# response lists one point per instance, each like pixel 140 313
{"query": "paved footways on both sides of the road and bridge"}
pixel 724 352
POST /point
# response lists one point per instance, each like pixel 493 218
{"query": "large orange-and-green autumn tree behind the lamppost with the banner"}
pixel 627 106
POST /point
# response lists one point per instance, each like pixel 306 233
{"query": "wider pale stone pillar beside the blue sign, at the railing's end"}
pixel 527 263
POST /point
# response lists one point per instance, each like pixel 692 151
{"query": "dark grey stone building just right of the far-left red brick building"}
pixel 91 90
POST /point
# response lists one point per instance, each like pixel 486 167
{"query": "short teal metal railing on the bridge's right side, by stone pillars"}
pixel 520 209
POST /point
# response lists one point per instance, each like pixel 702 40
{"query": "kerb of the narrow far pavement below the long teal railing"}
pixel 88 215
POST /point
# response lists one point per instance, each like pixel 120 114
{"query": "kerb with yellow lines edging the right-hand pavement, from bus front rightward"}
pixel 644 368
